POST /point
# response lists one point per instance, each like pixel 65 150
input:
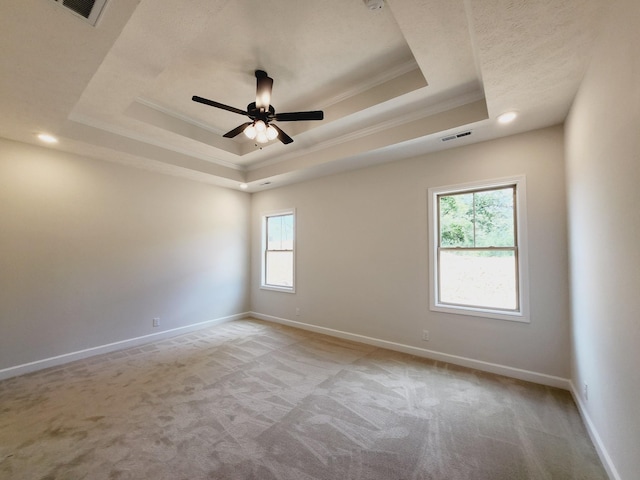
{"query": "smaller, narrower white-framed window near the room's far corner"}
pixel 278 234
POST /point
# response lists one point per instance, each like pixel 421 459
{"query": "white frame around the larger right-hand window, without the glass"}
pixel 521 249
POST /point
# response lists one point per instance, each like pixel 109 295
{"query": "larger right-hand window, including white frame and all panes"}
pixel 478 254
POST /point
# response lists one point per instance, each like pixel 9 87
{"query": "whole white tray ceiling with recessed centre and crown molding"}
pixel 392 82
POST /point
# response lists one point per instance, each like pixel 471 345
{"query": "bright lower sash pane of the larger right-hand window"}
pixel 479 279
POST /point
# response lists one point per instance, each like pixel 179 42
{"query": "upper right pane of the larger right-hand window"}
pixel 494 221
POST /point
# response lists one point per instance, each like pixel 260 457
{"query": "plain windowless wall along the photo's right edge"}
pixel 603 175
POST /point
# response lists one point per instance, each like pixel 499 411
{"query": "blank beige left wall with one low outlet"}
pixel 91 252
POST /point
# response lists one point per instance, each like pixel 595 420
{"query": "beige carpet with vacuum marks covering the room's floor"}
pixel 251 400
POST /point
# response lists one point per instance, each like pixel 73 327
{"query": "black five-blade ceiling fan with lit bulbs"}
pixel 262 113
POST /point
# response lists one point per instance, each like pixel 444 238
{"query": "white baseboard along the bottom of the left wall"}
pixel 111 347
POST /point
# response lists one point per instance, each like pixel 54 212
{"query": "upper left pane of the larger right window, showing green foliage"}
pixel 456 220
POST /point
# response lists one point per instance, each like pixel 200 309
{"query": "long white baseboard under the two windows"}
pixel 518 373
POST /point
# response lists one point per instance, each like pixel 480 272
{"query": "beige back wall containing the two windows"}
pixel 362 257
